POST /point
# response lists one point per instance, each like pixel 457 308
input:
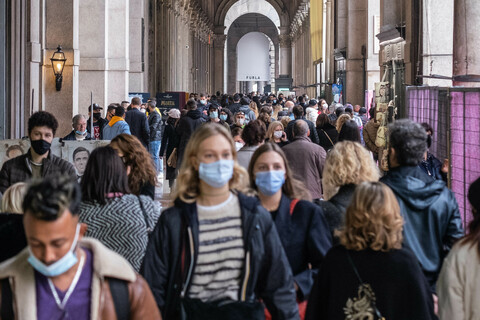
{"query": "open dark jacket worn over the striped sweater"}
pixel 266 276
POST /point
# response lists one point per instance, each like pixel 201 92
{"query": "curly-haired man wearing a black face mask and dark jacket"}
pixel 38 162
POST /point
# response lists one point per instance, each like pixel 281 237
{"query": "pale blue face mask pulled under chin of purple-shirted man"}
pixel 59 267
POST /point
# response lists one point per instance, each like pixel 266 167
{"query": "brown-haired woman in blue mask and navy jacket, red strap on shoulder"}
pixel 303 230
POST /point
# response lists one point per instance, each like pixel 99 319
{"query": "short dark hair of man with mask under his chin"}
pixel 47 199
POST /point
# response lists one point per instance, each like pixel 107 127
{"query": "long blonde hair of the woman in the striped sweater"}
pixel 188 181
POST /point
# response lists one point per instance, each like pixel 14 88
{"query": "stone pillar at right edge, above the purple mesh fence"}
pixel 466 58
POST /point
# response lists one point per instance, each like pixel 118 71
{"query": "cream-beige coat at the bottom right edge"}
pixel 458 285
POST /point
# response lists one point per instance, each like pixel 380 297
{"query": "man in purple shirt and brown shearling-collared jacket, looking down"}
pixel 62 274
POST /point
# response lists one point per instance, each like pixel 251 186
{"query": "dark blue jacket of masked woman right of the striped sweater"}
pixel 306 239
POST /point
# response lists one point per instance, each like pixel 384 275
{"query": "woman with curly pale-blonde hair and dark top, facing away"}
pixel 347 164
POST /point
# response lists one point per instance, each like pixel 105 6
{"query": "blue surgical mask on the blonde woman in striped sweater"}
pixel 216 174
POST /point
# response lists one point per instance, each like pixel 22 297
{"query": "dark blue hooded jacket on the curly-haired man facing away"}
pixel 432 218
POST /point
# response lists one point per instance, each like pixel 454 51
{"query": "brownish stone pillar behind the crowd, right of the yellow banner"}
pixel 357 37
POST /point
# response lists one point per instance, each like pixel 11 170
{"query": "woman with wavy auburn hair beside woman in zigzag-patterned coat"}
pixel 142 176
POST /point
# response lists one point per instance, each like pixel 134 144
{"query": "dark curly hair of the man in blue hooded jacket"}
pixel 409 140
